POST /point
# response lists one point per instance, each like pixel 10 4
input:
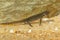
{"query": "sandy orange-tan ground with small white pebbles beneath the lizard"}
pixel 48 30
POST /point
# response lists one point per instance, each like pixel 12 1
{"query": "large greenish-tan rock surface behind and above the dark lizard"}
pixel 17 10
